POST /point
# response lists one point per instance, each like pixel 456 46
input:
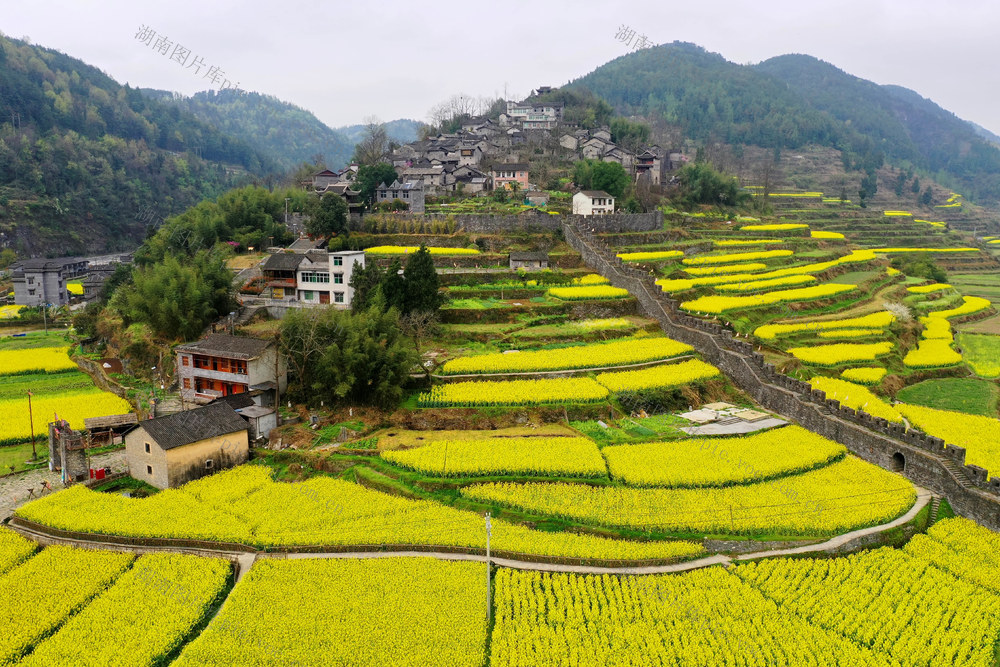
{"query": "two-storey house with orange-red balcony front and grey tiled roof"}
pixel 222 365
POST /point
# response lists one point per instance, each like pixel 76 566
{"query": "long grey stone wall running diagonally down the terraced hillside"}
pixel 927 462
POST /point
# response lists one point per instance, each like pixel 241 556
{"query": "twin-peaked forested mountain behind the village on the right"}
pixel 793 100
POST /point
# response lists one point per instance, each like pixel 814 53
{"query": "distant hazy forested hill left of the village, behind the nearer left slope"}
pixel 287 134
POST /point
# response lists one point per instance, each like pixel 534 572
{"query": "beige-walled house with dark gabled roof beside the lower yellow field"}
pixel 167 452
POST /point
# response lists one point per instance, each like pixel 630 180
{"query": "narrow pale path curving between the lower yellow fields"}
pixel 246 559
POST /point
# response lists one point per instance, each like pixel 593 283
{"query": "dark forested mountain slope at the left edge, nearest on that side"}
pixel 82 157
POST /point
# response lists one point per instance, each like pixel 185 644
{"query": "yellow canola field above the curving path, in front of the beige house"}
pixel 244 505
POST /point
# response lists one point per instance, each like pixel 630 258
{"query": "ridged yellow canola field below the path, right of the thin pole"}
pixel 933 603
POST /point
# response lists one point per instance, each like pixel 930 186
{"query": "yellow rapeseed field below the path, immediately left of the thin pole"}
pixel 371 612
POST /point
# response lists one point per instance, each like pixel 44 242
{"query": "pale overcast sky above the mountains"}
pixel 395 59
